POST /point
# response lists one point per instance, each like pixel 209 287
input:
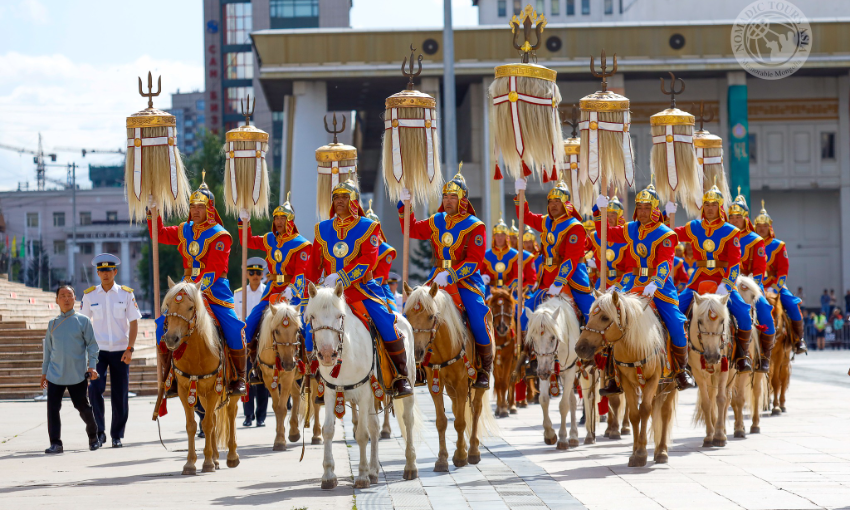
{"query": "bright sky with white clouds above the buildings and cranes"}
pixel 69 68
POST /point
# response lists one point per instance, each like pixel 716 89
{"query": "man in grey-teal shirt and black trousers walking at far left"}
pixel 70 357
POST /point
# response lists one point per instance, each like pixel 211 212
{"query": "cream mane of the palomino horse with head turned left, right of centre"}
pixel 644 334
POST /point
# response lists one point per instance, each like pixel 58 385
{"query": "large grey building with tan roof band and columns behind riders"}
pixel 789 138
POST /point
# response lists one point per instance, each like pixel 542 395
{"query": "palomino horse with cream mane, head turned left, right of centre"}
pixel 626 322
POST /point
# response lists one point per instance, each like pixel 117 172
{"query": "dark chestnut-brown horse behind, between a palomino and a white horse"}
pixel 502 307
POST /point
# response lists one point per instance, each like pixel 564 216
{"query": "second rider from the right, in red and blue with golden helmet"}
pixel 754 262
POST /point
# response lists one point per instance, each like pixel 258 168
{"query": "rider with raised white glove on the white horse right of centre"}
pixel 563 249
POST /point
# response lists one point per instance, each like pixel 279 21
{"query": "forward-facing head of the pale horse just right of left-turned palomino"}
pixel 712 321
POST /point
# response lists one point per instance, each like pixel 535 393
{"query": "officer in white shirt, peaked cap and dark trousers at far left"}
pixel 114 314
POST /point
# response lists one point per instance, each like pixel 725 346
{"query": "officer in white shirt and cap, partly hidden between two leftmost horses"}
pixel 255 404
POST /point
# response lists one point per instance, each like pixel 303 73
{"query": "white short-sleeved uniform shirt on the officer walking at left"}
pixel 111 313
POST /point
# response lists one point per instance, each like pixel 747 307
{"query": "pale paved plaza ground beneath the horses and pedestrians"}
pixel 800 460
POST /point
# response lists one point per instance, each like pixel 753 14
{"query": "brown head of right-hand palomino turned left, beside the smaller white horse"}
pixel 607 324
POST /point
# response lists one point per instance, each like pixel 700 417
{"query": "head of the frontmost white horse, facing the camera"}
pixel 326 315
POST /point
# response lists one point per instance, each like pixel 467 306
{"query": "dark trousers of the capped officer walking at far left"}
pixel 119 383
